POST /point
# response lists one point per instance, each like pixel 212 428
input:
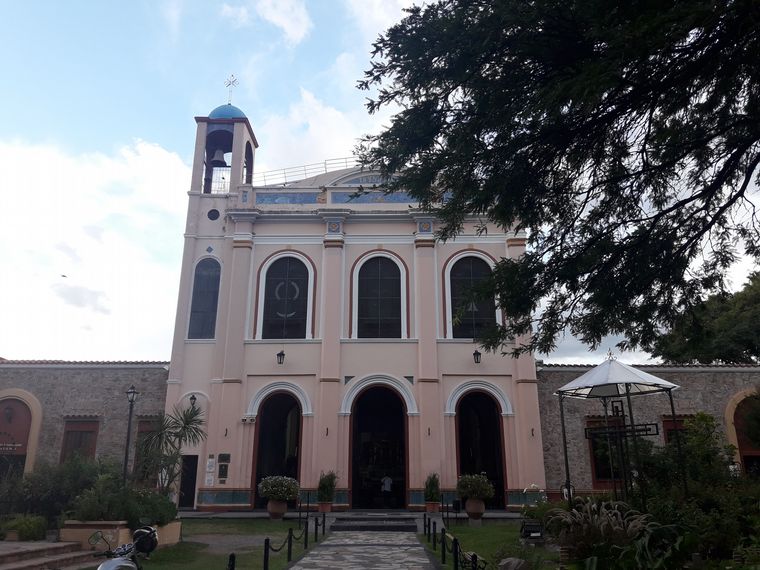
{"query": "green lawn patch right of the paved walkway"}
pixel 493 541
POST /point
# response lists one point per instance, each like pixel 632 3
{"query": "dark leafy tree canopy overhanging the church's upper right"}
pixel 623 137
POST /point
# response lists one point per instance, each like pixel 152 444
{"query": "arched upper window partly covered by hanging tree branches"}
pixel 469 319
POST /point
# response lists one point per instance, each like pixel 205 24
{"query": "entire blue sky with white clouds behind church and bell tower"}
pixel 97 101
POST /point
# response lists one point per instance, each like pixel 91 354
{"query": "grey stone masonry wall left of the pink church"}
pixel 89 391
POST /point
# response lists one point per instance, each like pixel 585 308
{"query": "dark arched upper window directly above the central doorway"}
pixel 379 299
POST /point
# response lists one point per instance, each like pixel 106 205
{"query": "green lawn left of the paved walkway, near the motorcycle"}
pixel 225 536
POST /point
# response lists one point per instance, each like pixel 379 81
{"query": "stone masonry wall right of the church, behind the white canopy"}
pixel 702 389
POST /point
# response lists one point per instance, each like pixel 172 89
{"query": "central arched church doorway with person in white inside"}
pixel 378 450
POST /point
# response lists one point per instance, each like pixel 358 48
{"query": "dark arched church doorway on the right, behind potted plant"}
pixel 480 448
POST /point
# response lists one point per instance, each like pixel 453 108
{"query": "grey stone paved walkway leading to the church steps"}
pixel 367 551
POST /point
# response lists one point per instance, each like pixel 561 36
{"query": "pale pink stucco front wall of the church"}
pixel 234 372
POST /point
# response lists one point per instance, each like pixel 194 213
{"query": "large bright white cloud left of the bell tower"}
pixel 91 246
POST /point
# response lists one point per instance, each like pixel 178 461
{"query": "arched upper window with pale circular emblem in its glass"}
pixel 286 296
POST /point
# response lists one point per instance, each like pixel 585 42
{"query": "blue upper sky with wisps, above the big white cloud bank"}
pixel 93 76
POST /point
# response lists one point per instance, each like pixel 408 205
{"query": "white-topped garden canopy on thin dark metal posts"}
pixel 613 379
